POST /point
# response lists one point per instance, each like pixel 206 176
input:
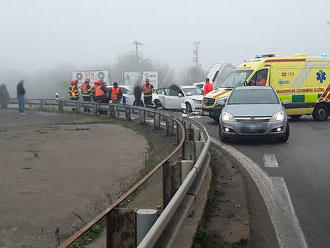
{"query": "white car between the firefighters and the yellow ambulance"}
pixel 171 98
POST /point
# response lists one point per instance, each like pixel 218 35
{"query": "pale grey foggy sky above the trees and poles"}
pixel 39 34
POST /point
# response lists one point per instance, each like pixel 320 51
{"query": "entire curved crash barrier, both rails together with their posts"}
pixel 183 173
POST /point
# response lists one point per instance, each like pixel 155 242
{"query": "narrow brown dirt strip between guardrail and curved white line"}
pixel 226 221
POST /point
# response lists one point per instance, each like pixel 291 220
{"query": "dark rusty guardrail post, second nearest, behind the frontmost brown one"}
pixel 171 181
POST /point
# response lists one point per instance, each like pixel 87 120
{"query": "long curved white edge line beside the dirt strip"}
pixel 277 199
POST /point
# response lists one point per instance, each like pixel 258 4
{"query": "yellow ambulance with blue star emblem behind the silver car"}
pixel 302 81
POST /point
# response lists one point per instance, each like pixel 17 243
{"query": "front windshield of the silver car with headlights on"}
pixel 253 96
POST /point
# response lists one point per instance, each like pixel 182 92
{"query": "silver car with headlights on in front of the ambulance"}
pixel 254 111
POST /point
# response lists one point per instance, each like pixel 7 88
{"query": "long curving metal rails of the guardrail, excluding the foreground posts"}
pixel 187 131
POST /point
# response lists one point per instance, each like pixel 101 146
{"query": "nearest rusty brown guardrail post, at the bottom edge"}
pixel 120 228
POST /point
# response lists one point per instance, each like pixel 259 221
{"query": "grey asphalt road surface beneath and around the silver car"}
pixel 304 165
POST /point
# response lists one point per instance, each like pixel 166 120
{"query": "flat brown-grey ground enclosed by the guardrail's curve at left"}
pixel 54 167
